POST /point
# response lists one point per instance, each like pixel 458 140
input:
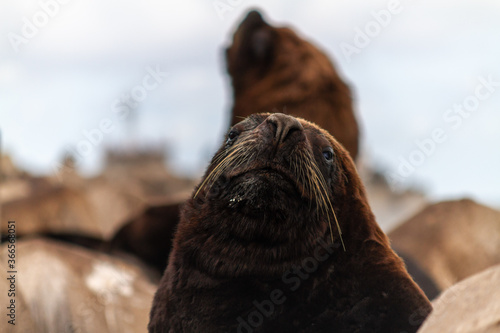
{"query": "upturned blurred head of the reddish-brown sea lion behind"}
pixel 259 49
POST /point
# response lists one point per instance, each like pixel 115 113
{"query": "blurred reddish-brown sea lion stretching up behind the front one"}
pixel 274 70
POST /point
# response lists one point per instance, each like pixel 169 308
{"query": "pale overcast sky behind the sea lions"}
pixel 62 79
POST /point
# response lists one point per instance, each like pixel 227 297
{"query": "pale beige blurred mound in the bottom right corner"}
pixel 471 306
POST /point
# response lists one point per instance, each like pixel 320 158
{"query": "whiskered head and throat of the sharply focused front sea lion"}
pixel 271 192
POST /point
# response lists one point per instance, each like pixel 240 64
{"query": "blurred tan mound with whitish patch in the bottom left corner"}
pixel 62 288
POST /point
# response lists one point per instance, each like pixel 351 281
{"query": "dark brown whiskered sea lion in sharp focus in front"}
pixel 258 246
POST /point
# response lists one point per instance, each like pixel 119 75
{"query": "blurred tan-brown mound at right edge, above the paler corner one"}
pixel 451 240
